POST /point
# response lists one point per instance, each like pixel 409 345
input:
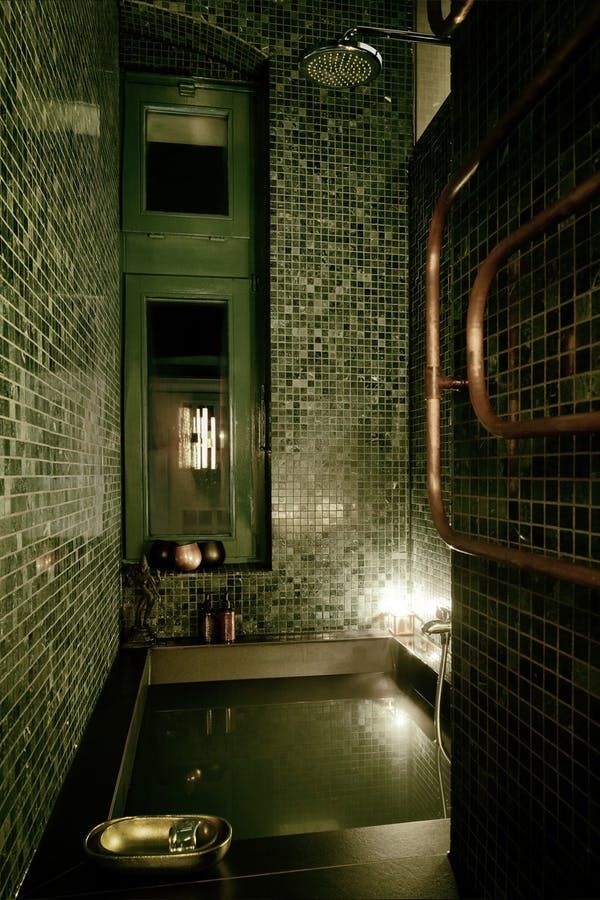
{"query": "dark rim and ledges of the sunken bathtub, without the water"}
pixel 98 784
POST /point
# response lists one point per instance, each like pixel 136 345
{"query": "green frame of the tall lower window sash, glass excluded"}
pixel 244 540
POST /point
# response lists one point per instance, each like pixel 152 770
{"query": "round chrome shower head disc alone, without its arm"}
pixel 341 64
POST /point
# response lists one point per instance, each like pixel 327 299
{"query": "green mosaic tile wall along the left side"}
pixel 59 397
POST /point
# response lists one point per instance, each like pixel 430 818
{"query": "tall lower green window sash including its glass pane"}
pixel 192 457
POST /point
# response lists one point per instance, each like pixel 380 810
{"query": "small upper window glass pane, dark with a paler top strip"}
pixel 187 163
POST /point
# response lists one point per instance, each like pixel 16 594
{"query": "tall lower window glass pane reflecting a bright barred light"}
pixel 188 418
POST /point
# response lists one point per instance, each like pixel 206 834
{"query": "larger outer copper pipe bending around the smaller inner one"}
pixel 435 382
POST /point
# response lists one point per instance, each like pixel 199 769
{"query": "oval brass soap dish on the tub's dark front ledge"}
pixel 147 842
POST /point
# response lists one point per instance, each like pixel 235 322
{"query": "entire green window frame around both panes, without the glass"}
pixel 192 257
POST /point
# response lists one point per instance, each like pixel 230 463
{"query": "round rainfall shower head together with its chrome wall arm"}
pixel 348 62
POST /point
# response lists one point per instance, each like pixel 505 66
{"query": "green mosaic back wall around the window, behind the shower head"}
pixel 338 203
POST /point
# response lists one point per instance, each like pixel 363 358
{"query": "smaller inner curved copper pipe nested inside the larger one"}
pixel 571 424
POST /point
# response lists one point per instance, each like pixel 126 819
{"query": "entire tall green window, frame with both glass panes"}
pixel 188 252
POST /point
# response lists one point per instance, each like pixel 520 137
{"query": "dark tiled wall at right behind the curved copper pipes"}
pixel 525 647
